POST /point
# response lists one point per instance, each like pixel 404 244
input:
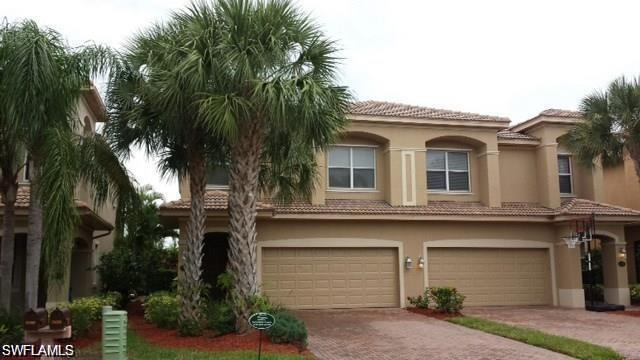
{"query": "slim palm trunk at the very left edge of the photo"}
pixel 8 244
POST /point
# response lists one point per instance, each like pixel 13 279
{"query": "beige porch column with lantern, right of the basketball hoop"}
pixel 616 283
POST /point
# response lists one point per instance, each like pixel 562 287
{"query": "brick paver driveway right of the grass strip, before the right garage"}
pixel 619 332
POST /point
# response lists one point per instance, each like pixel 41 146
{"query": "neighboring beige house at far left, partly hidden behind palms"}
pixel 93 235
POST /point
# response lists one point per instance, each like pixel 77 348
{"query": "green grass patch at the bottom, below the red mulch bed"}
pixel 138 349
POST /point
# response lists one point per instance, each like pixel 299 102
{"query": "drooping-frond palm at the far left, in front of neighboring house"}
pixel 46 78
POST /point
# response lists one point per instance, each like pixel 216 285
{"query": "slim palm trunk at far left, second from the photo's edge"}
pixel 34 240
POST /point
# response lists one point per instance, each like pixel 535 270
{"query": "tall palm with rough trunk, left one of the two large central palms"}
pixel 152 104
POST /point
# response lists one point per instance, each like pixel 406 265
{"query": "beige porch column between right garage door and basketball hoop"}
pixel 568 272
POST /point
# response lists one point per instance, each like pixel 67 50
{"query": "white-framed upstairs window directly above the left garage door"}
pixel 352 167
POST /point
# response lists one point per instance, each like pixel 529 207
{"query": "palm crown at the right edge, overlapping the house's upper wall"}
pixel 611 125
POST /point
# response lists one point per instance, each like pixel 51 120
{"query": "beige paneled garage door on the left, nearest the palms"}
pixel 317 278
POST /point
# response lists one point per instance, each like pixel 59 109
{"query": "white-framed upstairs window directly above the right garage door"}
pixel 448 171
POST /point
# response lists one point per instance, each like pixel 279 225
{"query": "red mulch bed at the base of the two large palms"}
pixel 208 341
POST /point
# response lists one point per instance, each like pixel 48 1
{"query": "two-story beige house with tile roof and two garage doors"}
pixel 413 197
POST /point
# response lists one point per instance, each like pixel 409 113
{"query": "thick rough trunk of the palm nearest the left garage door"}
pixel 243 195
